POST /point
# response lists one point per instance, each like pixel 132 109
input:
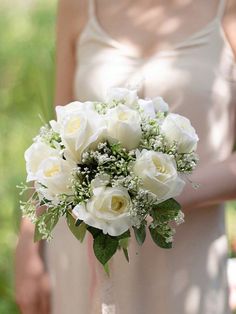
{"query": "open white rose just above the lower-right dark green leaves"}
pixel 158 174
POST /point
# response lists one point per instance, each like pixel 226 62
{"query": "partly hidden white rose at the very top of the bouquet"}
pixel 122 95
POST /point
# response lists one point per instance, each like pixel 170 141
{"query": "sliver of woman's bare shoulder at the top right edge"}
pixel 230 23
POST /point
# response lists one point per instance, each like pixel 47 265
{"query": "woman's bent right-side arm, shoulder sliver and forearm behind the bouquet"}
pixel 217 181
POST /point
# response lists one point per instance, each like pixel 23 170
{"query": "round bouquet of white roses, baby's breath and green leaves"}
pixel 111 167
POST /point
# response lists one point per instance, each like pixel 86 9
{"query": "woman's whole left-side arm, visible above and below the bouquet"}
pixel 31 279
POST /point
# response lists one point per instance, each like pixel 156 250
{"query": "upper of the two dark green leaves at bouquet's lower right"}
pixel 166 211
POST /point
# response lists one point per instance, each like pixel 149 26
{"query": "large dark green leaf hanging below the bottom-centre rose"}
pixel 104 247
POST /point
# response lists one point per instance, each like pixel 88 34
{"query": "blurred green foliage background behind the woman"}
pixel 27 32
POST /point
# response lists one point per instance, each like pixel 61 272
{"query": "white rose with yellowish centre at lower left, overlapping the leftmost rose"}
pixel 55 174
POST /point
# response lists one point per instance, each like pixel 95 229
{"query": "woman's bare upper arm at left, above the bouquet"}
pixel 72 16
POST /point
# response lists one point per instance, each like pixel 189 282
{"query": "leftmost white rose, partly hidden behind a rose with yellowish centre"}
pixel 34 156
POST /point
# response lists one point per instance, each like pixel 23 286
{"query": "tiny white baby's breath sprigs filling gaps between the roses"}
pixel 114 163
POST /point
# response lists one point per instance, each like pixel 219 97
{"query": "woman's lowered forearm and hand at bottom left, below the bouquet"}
pixel 31 280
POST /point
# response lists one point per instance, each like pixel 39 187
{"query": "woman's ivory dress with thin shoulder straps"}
pixel 197 78
